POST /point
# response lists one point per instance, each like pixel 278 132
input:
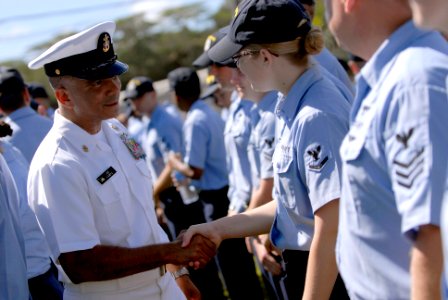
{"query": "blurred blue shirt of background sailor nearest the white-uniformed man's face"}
pixel 164 134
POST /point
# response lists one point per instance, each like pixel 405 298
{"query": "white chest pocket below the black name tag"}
pixel 113 218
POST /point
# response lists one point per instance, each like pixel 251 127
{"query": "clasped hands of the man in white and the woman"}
pixel 196 246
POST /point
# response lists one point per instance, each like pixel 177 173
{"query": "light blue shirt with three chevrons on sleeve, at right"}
pixel 394 159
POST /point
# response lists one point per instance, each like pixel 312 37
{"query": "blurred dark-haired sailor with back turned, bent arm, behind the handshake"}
pixel 205 163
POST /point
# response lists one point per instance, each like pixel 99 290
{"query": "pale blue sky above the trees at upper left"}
pixel 25 23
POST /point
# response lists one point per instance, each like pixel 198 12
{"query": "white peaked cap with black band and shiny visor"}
pixel 86 55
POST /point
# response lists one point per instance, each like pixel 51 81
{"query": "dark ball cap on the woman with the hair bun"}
pixel 262 22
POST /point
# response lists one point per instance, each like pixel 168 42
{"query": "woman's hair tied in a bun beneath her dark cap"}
pixel 299 49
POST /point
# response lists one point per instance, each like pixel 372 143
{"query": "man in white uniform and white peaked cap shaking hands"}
pixel 91 189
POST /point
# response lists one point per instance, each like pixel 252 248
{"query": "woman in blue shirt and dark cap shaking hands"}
pixel 271 42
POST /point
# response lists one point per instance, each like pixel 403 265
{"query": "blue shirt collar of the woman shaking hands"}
pixel 287 107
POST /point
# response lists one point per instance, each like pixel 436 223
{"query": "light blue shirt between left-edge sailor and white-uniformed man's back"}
pixel 36 250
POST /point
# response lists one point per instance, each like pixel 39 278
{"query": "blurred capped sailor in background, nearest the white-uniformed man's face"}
pixel 162 135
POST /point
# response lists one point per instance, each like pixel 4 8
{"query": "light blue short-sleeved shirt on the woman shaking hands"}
pixel 311 122
